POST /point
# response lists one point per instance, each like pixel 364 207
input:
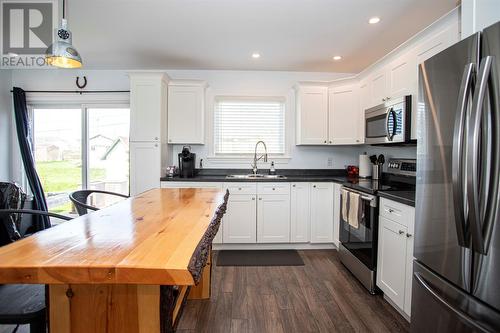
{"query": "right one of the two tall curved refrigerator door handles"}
pixel 480 239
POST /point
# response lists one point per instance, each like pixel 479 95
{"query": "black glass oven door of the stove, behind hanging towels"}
pixel 362 241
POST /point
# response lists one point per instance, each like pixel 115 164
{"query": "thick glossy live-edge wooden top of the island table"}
pixel 150 239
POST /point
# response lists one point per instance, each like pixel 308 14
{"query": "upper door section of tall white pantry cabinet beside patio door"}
pixel 148 106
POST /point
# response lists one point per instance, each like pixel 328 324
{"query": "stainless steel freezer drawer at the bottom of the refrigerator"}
pixel 438 306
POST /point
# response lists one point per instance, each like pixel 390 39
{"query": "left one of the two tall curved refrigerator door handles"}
pixel 460 205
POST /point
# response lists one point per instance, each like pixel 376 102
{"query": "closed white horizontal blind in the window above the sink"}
pixel 241 122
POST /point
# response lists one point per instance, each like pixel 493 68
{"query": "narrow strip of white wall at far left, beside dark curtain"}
pixel 5 124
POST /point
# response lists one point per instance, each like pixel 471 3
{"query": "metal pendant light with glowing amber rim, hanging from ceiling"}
pixel 61 53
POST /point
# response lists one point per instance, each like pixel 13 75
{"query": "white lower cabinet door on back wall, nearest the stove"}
pixel 321 212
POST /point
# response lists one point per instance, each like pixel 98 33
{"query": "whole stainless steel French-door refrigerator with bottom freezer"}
pixel 456 278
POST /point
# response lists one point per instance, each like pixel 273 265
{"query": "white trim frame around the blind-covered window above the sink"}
pixel 234 159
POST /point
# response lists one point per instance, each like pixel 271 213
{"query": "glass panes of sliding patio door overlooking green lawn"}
pixel 81 147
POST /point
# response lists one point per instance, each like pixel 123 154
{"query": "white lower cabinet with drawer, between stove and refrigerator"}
pixel 395 252
